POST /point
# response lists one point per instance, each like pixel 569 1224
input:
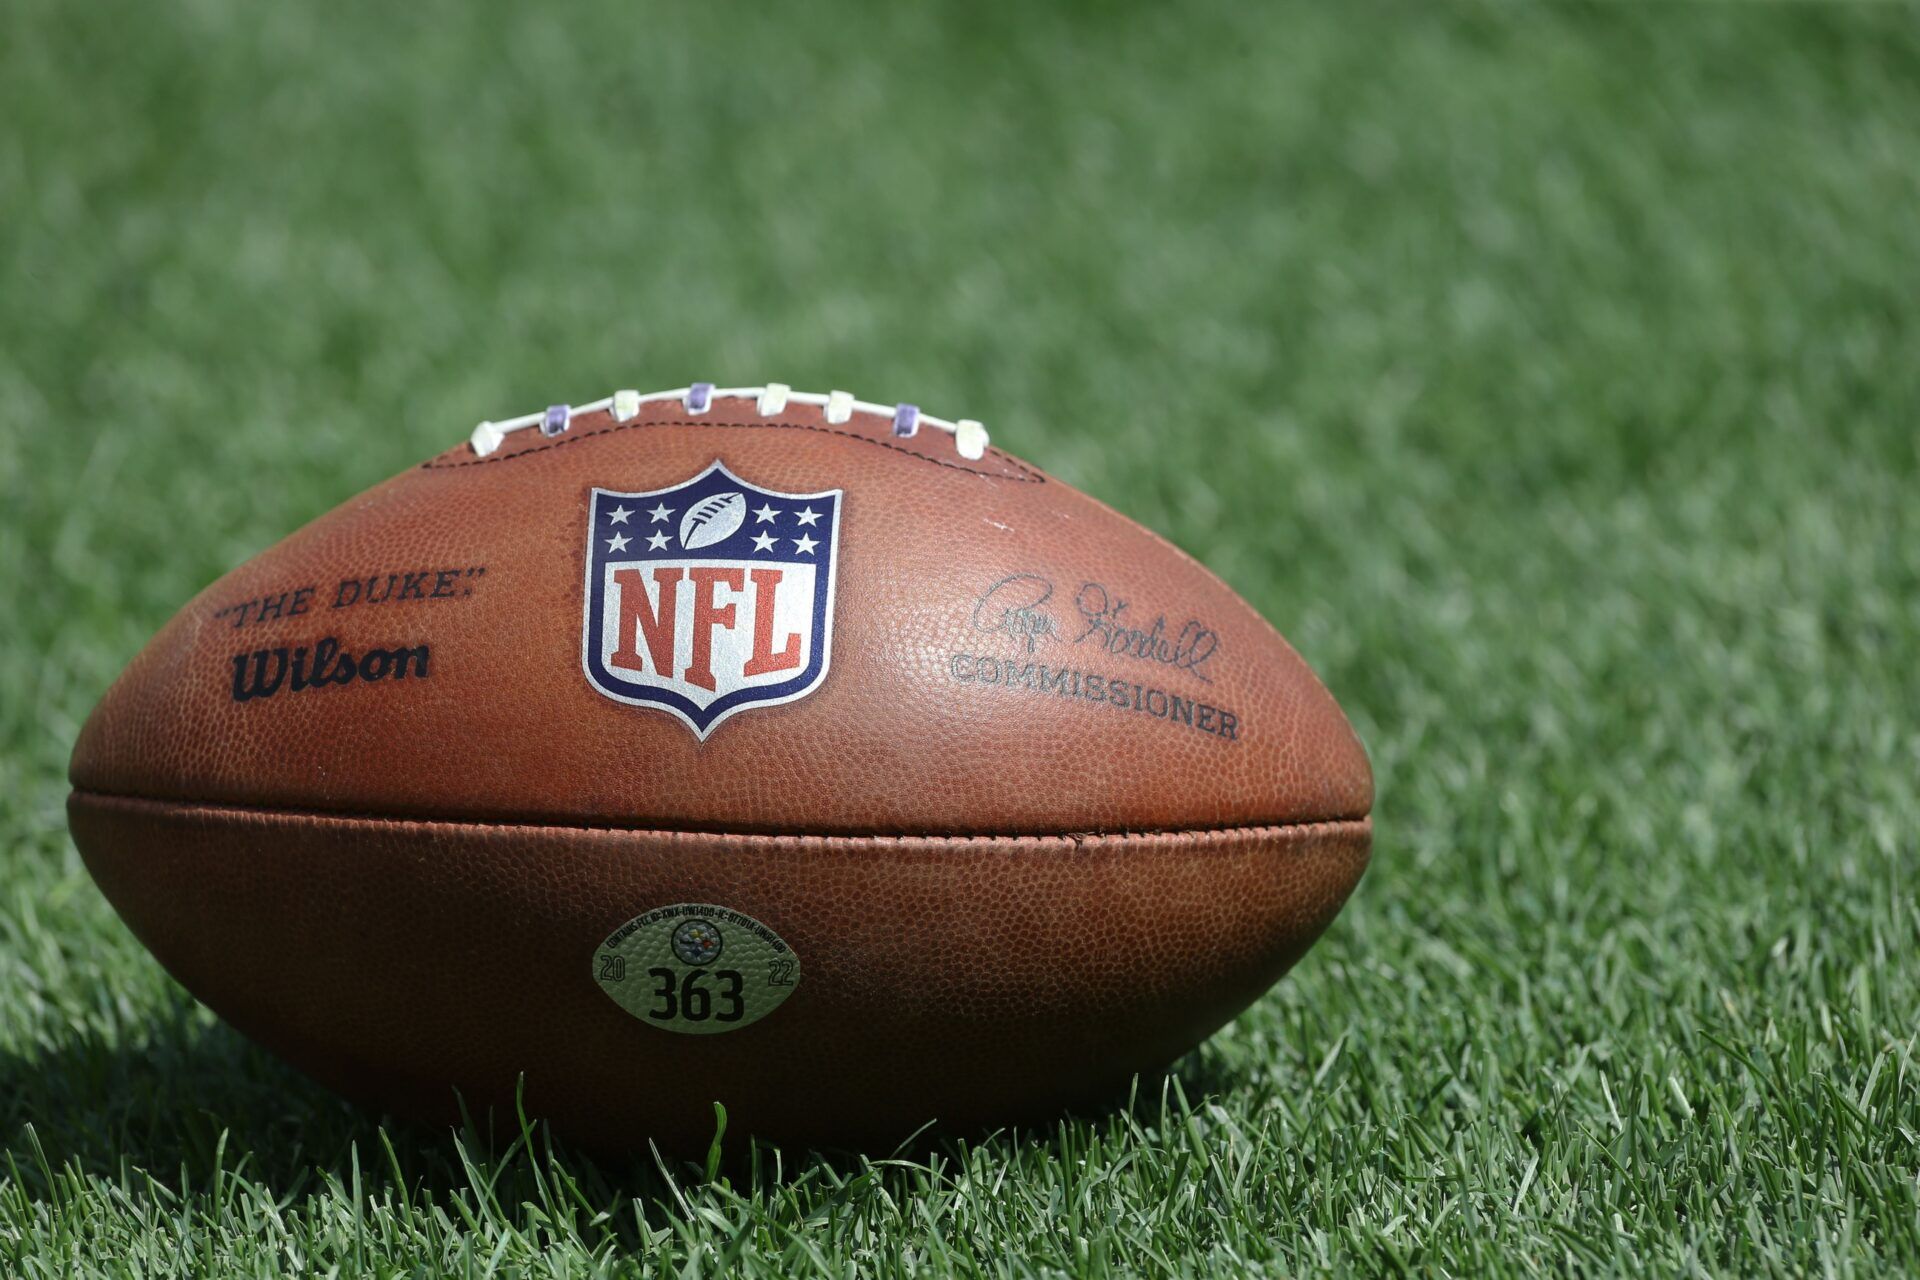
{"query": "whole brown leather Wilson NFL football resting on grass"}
pixel 748 747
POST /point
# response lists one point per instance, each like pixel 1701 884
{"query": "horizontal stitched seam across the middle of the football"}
pixel 873 838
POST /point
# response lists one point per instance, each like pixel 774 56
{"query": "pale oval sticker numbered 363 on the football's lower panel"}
pixel 696 968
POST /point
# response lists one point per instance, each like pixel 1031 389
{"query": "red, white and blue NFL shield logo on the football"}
pixel 709 598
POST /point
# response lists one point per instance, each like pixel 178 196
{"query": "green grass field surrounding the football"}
pixel 1548 377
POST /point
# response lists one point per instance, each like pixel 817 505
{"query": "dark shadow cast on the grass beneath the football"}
pixel 195 1101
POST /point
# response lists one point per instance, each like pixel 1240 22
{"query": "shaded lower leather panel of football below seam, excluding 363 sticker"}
pixel 967 982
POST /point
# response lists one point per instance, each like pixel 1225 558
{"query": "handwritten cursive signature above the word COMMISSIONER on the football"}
pixel 1020 609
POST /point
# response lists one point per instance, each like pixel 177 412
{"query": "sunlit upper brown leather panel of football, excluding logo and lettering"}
pixel 510 728
